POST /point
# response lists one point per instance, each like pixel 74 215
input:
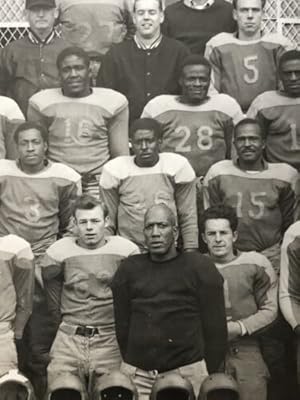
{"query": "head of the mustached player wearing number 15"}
pixel 249 143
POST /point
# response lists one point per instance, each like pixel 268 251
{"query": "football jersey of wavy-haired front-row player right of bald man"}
pixel 250 290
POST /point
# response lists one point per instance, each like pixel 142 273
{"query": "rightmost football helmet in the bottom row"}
pixel 219 382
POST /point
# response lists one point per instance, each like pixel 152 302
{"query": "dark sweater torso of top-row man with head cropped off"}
pixel 194 22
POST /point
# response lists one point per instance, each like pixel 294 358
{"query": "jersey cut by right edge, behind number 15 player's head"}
pixel 280 115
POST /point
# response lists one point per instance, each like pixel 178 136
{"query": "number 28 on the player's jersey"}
pixel 204 141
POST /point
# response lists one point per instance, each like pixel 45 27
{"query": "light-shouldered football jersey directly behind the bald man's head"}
pixel 130 190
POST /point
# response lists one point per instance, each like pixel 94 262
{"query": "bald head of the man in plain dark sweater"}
pixel 160 232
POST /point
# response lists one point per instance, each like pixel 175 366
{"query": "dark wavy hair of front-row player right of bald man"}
pixel 219 211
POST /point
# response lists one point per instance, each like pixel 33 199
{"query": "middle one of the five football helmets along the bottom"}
pixel 115 386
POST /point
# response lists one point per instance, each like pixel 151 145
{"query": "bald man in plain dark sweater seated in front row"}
pixel 169 309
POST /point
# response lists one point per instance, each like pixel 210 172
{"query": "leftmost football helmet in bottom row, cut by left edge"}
pixel 15 386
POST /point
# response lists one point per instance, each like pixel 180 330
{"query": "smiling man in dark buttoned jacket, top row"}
pixel 146 66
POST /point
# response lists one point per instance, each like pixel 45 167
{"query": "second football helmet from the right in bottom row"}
pixel 172 386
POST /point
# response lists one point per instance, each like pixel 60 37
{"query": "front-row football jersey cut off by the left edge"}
pixel 16 283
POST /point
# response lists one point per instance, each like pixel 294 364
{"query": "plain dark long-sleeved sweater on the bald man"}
pixel 170 314
